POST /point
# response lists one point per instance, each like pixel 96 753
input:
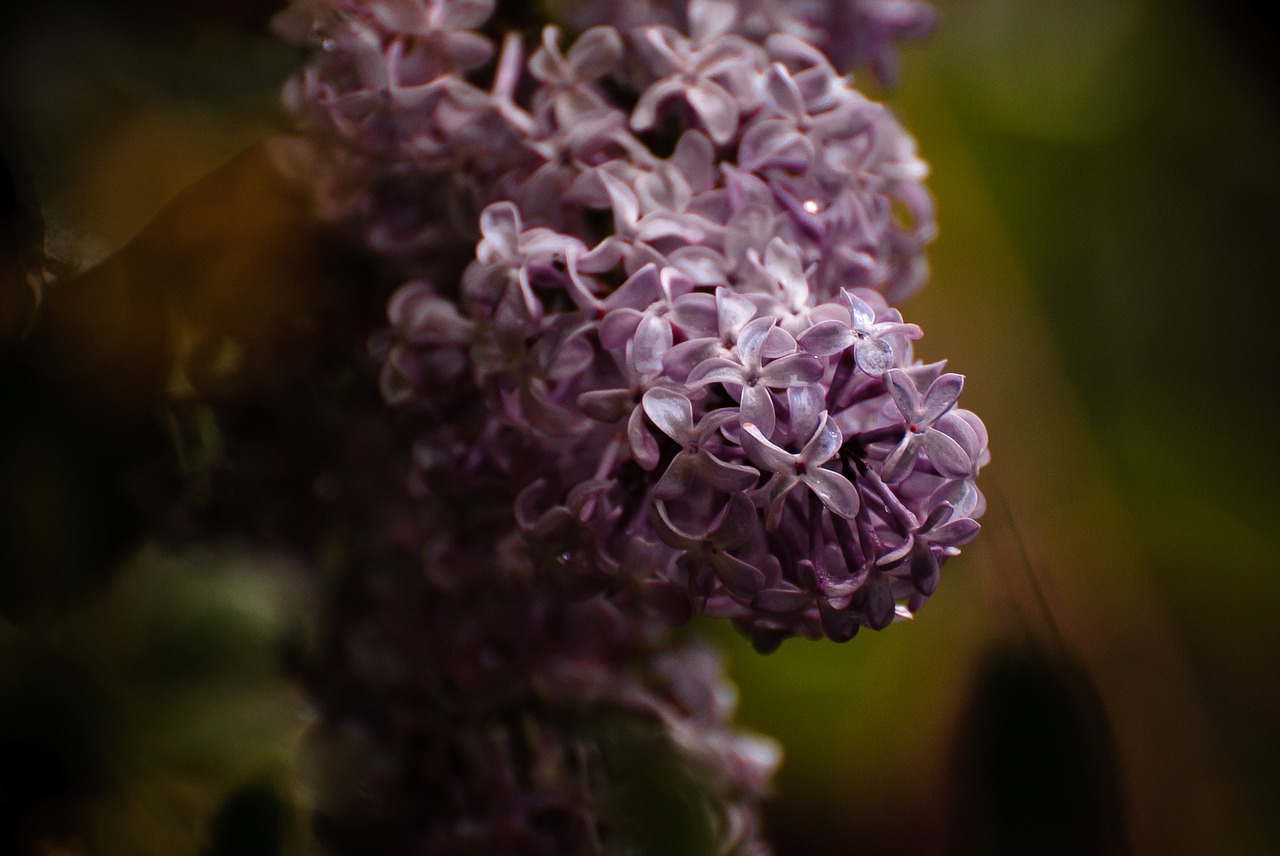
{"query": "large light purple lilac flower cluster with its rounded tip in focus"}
pixel 730 335
